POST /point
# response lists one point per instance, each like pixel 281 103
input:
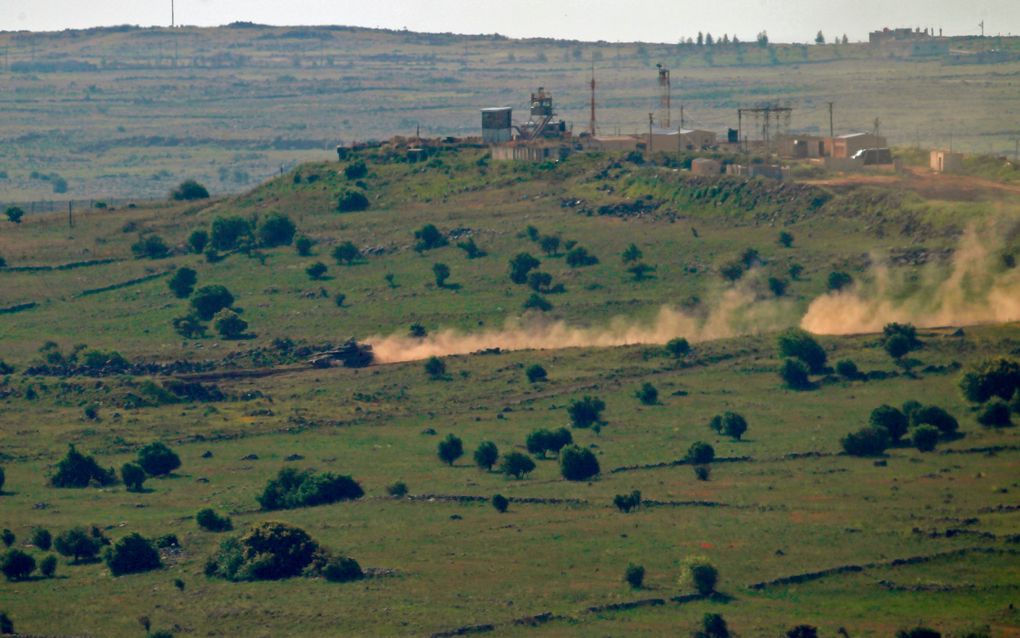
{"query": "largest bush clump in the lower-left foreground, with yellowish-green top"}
pixel 274 551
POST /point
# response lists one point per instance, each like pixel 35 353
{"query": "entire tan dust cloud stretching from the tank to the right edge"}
pixel 977 288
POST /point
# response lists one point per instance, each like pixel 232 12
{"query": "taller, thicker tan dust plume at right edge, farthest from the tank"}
pixel 979 288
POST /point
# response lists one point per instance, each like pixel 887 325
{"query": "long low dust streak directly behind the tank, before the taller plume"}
pixel 738 311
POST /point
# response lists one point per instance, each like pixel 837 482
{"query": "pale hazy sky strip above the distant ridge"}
pixel 654 21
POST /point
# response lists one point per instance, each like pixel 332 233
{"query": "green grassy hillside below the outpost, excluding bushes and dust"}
pixel 789 505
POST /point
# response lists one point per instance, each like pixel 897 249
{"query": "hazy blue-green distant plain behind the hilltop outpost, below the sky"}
pixel 232 106
